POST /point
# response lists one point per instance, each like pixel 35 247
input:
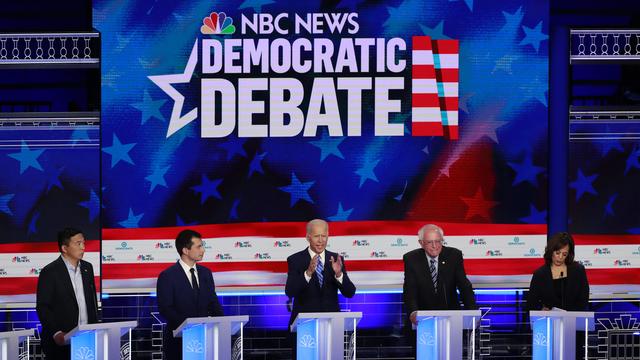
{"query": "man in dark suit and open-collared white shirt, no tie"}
pixel 66 294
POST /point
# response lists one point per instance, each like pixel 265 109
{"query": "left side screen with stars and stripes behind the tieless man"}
pixel 50 179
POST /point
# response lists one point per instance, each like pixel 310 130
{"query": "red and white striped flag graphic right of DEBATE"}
pixel 435 78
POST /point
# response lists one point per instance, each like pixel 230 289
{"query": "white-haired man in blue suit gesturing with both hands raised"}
pixel 315 275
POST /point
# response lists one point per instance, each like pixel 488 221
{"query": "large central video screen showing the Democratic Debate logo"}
pixel 245 119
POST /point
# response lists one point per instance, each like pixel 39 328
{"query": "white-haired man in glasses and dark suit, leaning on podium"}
pixel 433 273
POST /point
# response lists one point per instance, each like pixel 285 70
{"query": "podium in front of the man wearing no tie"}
pixel 99 340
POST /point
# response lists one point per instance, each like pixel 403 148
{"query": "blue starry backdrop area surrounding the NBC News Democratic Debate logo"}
pixel 152 181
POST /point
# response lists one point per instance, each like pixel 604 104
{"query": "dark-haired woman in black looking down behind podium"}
pixel 560 282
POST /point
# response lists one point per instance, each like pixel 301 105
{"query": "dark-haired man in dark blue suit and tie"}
pixel 185 290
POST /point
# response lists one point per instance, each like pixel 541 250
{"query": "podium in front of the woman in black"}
pixel 554 333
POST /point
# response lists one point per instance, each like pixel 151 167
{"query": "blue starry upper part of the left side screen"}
pixel 50 179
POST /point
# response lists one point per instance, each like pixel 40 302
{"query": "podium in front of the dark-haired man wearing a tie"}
pixel 209 337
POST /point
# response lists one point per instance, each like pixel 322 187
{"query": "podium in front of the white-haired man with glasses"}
pixel 439 333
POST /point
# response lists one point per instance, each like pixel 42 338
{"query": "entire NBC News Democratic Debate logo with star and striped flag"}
pixel 286 75
